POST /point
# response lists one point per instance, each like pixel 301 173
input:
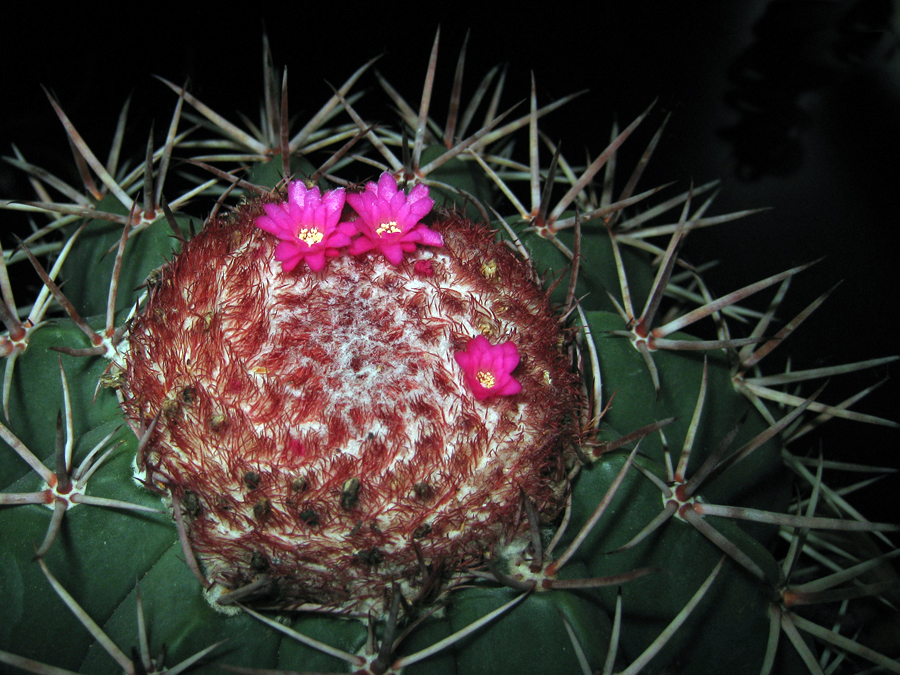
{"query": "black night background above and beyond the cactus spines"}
pixel 794 104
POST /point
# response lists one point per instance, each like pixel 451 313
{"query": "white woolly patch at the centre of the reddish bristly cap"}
pixel 364 367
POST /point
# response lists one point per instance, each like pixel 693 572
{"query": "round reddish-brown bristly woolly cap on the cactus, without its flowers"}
pixel 316 428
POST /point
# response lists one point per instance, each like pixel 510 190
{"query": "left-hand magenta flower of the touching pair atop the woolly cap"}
pixel 308 225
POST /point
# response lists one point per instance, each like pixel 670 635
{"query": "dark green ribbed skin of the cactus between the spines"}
pixel 101 554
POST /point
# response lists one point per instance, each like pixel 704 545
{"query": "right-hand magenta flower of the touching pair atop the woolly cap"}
pixel 389 219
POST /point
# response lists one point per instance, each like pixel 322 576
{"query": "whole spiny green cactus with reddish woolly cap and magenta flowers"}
pixel 390 443
